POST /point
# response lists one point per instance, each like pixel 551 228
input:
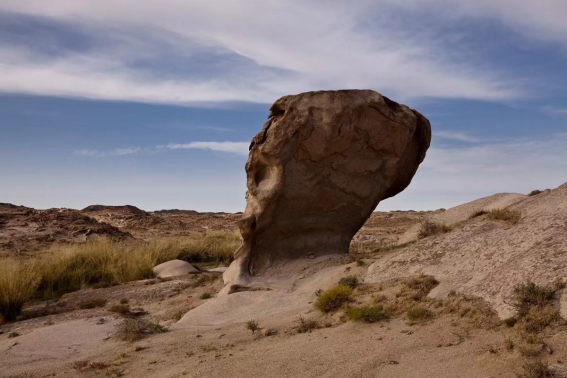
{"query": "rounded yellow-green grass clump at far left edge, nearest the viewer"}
pixel 18 282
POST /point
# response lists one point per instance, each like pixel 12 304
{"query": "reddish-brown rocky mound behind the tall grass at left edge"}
pixel 27 230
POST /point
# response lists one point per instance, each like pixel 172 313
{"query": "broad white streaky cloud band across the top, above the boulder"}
pixel 242 57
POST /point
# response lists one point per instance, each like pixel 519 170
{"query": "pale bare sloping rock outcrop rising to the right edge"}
pixel 488 258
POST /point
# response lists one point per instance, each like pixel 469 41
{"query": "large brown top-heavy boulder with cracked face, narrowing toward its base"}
pixel 317 170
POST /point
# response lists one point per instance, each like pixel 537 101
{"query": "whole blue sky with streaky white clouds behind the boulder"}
pixel 154 103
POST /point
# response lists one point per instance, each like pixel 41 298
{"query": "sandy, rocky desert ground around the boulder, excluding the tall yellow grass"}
pixel 425 294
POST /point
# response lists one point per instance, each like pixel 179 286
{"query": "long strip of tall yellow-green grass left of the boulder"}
pixel 102 263
